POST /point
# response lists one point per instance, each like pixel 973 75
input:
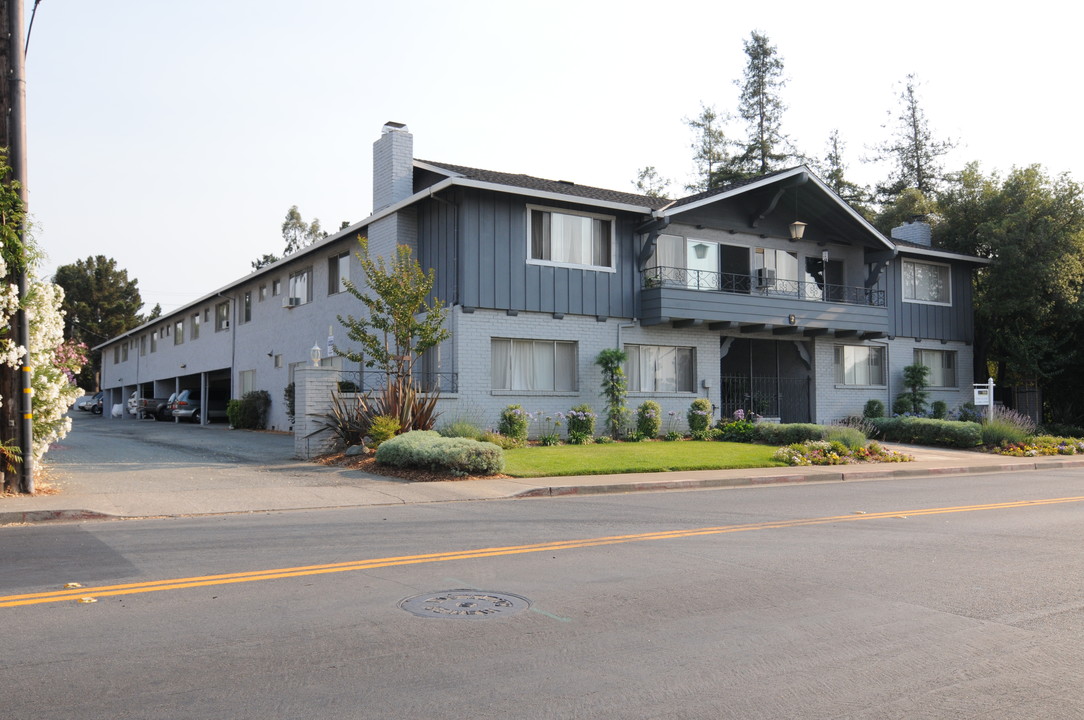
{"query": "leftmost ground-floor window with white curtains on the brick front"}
pixel 533 365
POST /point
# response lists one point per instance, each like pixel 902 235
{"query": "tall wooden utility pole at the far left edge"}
pixel 18 391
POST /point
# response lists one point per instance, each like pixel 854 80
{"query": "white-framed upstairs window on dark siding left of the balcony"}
pixel 572 239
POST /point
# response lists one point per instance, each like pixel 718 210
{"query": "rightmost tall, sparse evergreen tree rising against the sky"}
pixel 913 151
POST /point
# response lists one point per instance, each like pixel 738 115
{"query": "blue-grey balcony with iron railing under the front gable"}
pixel 760 303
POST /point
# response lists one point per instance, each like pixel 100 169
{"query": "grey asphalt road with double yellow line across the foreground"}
pixel 940 598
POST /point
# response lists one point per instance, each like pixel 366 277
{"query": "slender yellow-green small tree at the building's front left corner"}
pixel 402 325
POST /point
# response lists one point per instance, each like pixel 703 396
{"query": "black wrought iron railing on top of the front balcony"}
pixel 764 284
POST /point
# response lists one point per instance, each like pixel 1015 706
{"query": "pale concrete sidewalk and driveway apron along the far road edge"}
pixel 294 485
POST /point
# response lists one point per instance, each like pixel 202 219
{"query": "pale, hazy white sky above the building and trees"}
pixel 174 137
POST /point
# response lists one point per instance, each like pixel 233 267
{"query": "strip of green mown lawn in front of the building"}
pixel 636 458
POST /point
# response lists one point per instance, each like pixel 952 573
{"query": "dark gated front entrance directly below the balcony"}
pixel 767 378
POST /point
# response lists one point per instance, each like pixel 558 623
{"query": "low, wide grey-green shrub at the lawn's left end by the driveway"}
pixel 429 451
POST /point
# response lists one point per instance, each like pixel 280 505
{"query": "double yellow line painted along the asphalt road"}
pixel 230 578
